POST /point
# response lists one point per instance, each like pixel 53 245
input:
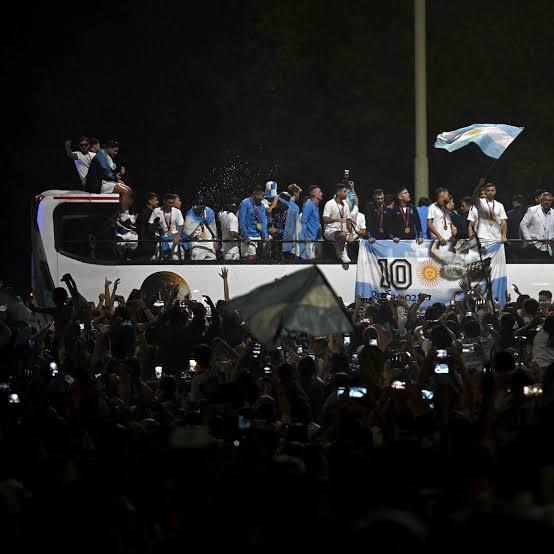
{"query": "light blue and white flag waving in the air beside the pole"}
pixel 492 138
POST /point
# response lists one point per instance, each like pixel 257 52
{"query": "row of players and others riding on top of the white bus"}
pixel 291 225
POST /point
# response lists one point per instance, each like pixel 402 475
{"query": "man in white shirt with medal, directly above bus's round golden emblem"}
pixel 167 223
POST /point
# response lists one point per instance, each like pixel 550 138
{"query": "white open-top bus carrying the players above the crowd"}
pixel 70 234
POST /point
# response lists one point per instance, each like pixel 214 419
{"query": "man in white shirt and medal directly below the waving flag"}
pixel 488 219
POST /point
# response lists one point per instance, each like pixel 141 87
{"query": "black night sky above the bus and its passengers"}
pixel 290 89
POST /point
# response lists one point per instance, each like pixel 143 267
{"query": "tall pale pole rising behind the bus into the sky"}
pixel 421 167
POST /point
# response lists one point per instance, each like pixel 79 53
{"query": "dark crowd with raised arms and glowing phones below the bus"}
pixel 133 428
